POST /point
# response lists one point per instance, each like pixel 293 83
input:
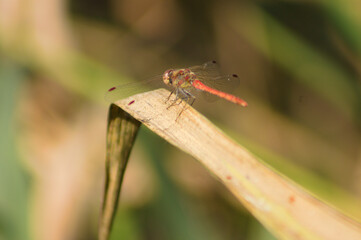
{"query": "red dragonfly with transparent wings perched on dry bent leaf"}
pixel 187 83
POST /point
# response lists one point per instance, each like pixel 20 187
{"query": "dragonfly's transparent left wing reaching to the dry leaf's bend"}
pixel 128 89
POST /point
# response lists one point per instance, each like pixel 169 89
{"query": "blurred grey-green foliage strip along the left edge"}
pixel 13 180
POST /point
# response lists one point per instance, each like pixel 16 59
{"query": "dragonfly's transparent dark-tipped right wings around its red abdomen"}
pixel 210 74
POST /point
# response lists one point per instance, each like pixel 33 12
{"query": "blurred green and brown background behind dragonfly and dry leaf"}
pixel 300 68
